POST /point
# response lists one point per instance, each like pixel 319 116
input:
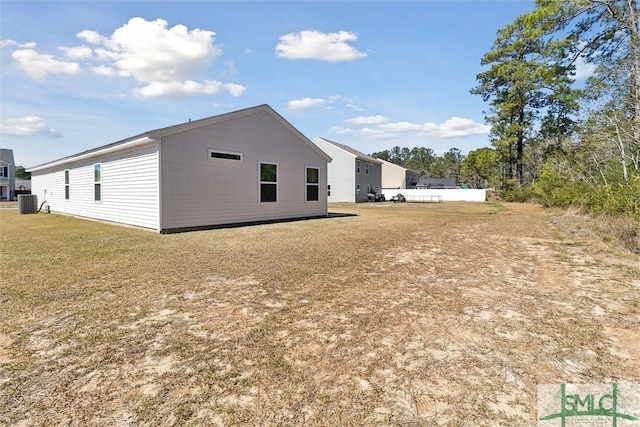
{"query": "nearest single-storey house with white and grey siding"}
pixel 248 166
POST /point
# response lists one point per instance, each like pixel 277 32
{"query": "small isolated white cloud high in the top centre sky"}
pixel 311 44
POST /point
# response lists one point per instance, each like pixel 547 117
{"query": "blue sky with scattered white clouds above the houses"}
pixel 368 74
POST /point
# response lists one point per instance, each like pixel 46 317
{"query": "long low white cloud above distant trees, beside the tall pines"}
pixel 452 128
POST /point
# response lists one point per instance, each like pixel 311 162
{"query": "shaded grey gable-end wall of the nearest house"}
pixel 198 191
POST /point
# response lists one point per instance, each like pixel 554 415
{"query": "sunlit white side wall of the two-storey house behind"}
pixel 341 172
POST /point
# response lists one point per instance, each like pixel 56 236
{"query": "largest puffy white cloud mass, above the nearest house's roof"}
pixel 167 61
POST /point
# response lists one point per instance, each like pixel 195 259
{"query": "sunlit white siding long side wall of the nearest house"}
pixel 130 188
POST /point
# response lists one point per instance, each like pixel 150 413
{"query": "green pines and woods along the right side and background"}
pixel 553 140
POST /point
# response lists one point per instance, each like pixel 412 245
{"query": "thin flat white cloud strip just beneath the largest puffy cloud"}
pixel 189 87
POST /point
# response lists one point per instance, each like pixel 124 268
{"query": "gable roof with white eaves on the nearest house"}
pixel 156 134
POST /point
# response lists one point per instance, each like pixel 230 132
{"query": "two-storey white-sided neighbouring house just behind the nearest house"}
pixel 352 175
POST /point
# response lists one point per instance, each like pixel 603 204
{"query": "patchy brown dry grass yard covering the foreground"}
pixel 412 314
